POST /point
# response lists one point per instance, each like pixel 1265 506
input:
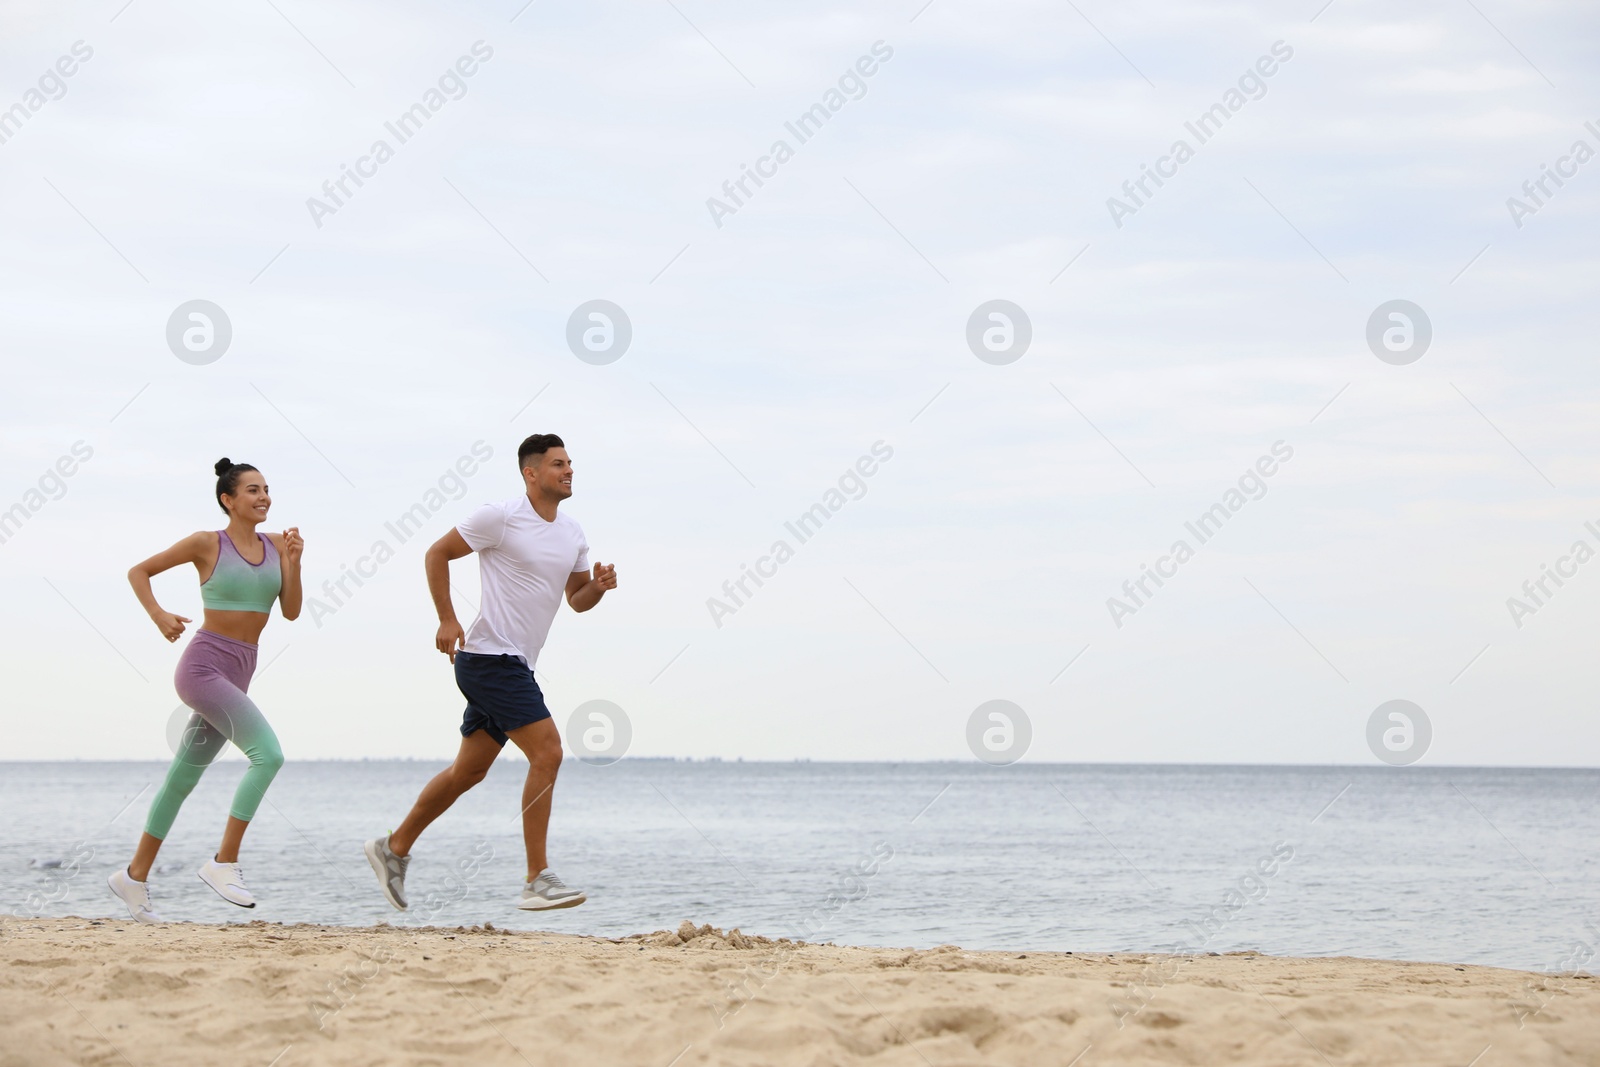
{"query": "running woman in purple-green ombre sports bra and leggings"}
pixel 241 575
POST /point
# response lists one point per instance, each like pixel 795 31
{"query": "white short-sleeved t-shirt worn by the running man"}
pixel 524 564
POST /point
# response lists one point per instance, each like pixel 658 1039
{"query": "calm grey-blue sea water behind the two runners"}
pixel 1444 865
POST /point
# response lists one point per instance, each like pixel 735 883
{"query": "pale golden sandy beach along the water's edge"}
pixel 78 991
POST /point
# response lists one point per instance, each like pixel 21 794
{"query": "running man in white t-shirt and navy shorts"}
pixel 527 557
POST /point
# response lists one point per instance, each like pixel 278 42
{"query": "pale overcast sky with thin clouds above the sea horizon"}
pixel 777 340
